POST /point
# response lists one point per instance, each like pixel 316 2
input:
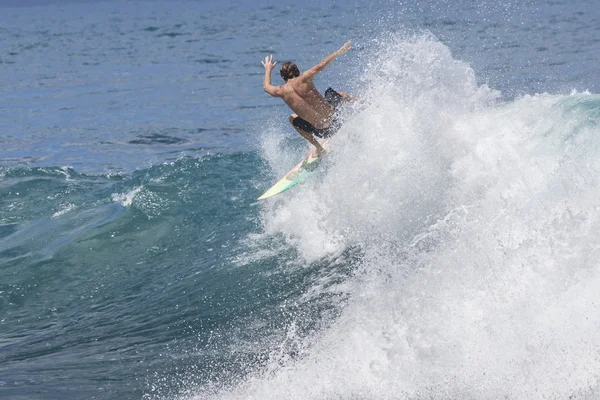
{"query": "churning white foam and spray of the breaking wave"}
pixel 478 226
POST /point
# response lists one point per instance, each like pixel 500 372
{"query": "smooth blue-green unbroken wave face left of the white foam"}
pixel 111 281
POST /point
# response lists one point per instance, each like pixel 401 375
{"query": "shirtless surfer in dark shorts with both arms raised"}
pixel 313 113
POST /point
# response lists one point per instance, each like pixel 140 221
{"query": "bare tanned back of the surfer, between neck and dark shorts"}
pixel 304 99
